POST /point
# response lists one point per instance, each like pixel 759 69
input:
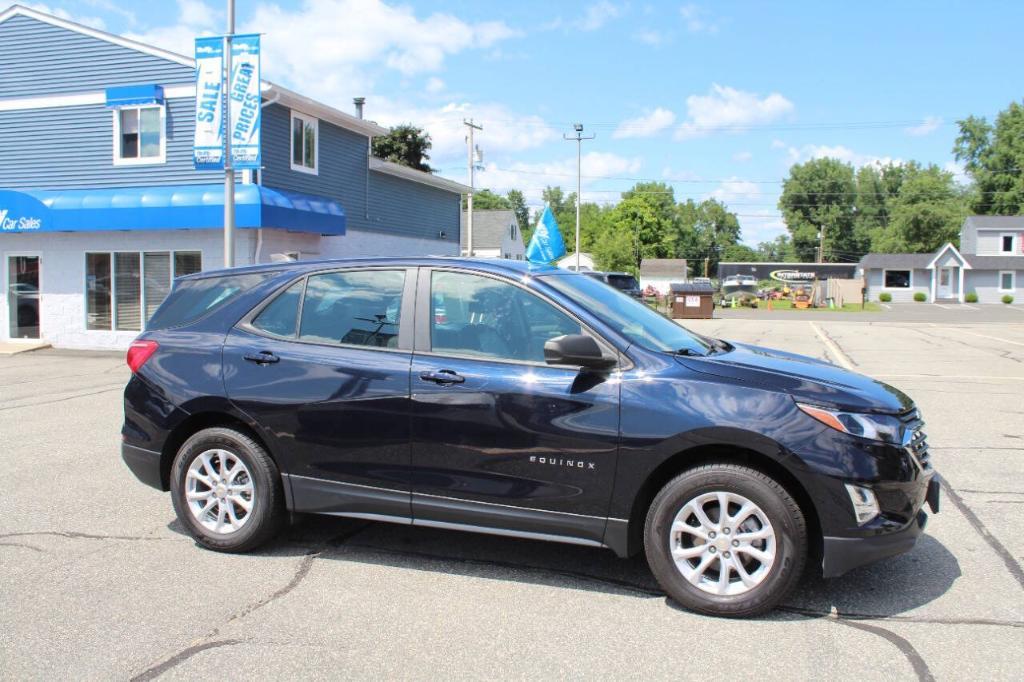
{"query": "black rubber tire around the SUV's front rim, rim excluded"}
pixel 783 513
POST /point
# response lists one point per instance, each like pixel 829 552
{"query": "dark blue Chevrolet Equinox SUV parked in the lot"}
pixel 521 401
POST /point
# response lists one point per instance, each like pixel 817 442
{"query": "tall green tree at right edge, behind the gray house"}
pixel 994 157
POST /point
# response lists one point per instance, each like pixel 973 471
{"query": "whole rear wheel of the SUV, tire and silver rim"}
pixel 227 491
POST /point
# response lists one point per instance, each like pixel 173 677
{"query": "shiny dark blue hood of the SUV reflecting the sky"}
pixel 806 379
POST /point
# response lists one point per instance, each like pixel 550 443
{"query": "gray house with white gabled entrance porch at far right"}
pixel 990 264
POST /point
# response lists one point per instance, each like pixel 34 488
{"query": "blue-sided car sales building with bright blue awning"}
pixel 101 206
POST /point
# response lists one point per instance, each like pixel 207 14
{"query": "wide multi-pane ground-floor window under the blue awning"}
pixel 124 289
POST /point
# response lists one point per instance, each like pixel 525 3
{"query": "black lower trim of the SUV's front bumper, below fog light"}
pixel 843 555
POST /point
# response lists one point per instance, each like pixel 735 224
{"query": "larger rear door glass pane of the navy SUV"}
pixel 359 309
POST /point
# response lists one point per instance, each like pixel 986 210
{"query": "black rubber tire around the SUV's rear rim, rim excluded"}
pixel 268 515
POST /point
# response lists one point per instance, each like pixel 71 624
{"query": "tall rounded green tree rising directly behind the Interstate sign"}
pixel 820 196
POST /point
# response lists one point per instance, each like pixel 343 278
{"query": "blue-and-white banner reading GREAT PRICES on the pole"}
pixel 245 102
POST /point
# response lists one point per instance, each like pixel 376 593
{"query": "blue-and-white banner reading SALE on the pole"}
pixel 208 145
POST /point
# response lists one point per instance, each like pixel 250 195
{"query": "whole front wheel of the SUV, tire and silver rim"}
pixel 726 540
